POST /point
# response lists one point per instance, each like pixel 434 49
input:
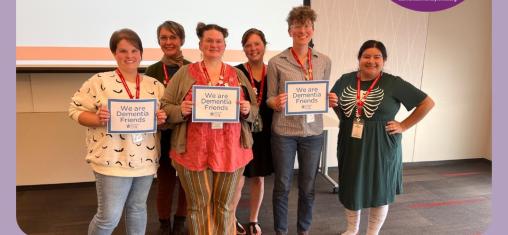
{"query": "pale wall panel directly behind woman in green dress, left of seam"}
pixel 342 26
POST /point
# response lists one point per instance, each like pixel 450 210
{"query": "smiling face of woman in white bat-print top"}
pixel 127 56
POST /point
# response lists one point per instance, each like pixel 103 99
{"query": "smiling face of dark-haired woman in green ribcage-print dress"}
pixel 371 63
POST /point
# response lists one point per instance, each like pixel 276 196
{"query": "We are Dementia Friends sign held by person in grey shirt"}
pixel 306 97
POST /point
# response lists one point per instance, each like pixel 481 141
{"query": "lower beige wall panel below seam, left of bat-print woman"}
pixel 50 150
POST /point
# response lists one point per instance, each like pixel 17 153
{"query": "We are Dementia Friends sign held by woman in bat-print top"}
pixel 132 116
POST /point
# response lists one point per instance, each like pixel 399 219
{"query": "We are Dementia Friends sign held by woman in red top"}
pixel 215 104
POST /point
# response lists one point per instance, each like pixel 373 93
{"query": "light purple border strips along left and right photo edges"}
pixel 499 124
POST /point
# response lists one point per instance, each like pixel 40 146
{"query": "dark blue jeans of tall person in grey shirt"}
pixel 284 149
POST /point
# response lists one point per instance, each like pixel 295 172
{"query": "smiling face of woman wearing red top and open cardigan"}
pixel 212 45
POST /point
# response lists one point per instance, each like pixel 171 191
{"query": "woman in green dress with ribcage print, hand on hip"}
pixel 369 143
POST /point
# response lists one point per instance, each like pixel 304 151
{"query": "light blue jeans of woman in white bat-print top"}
pixel 113 195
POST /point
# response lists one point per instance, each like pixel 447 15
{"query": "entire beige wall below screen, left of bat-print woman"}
pixel 50 147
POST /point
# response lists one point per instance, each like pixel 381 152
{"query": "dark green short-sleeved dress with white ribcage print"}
pixel 370 168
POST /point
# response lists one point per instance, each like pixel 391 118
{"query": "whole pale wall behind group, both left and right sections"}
pixel 436 52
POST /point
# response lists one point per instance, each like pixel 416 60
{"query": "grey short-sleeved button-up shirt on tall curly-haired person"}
pixel 283 67
